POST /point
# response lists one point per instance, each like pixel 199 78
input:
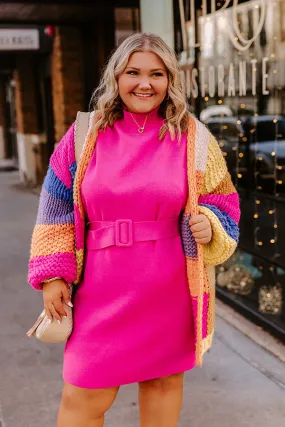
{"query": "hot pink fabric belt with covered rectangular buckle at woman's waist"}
pixel 125 232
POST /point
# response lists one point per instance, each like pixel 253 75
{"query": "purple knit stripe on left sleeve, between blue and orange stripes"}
pixel 53 210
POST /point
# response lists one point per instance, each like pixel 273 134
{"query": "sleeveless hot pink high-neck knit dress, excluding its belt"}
pixel 132 311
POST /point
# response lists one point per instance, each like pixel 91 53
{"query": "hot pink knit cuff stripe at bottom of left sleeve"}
pixel 48 266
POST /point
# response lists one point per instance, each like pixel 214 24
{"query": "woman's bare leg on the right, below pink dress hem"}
pixel 160 401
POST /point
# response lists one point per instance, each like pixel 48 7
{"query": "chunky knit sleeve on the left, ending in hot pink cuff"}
pixel 53 241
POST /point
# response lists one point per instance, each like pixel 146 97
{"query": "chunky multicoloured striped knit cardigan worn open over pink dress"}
pixel 57 247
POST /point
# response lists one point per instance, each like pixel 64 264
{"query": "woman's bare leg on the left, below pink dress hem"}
pixel 82 407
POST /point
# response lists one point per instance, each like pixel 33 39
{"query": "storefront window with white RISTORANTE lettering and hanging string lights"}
pixel 239 70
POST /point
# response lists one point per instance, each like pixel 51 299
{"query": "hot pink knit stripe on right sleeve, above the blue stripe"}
pixel 226 203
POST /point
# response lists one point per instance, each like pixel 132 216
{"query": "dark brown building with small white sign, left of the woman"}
pixel 51 58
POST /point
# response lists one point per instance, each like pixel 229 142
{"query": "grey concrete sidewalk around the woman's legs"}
pixel 239 385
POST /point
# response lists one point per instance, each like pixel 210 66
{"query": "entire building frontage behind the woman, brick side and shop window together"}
pixel 233 69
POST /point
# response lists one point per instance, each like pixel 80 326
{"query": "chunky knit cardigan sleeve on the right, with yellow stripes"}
pixel 219 201
